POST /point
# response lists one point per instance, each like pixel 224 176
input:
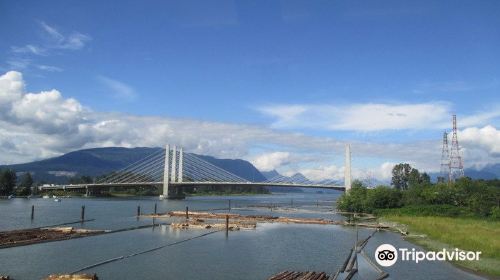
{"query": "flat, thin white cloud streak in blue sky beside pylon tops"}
pixel 369 117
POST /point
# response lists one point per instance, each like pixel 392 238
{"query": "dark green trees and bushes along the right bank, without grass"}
pixel 413 192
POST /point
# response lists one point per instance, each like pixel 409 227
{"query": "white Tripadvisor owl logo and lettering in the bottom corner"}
pixel 387 255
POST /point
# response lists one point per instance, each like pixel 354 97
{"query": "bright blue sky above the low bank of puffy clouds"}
pixel 324 69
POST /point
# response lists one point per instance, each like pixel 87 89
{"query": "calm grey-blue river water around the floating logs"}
pixel 246 254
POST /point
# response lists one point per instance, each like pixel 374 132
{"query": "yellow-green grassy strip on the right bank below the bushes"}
pixel 471 234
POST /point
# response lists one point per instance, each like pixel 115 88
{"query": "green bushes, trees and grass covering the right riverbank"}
pixel 463 214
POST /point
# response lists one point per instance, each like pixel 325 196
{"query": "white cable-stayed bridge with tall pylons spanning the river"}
pixel 173 169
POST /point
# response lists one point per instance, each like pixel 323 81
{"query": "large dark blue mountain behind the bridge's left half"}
pixel 98 161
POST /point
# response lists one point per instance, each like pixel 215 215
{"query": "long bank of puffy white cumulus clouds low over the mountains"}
pixel 45 124
